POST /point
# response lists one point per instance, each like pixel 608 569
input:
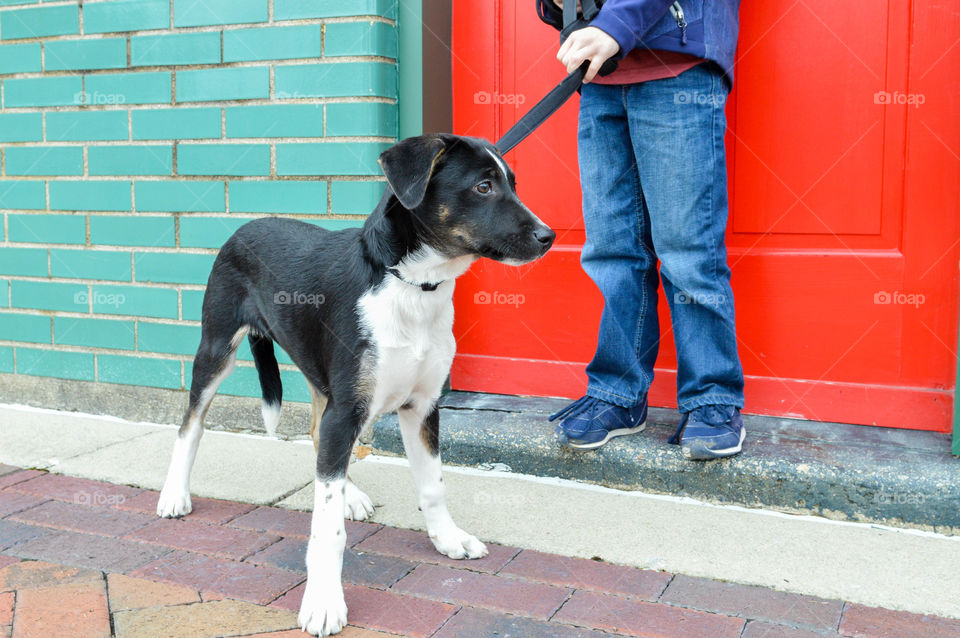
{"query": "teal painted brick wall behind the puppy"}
pixel 137 135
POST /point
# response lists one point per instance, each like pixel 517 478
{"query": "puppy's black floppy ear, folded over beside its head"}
pixel 408 166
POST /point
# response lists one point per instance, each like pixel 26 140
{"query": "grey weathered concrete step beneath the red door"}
pixel 841 472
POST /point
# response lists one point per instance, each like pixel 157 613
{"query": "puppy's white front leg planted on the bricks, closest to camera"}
pixel 323 610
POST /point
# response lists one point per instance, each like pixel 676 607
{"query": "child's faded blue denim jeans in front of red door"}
pixel 653 174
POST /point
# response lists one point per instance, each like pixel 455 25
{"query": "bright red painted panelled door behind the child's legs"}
pixel 844 231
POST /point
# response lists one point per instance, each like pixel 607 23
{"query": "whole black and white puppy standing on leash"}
pixel 367 316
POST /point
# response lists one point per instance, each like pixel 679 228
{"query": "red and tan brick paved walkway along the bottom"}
pixel 82 558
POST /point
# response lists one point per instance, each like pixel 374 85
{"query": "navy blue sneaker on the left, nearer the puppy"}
pixel 589 422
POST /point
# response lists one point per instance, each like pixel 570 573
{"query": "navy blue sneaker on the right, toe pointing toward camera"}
pixel 710 432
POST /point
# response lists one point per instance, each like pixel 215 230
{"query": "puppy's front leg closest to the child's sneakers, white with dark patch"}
pixel 421 439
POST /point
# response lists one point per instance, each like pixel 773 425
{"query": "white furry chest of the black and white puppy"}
pixel 412 332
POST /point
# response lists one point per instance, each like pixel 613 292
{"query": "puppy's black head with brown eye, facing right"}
pixel 462 199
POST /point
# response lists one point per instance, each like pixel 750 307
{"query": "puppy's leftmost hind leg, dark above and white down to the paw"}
pixel 213 363
